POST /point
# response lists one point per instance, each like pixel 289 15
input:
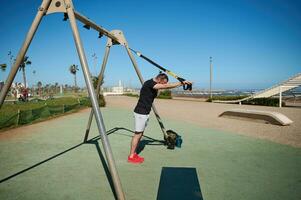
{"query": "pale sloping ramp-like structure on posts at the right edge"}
pixel 291 83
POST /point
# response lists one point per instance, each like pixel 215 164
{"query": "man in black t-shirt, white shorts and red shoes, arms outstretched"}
pixel 148 93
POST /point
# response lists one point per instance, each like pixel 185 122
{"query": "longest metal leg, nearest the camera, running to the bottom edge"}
pixel 94 101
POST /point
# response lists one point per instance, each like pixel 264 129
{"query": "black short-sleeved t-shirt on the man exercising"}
pixel 147 96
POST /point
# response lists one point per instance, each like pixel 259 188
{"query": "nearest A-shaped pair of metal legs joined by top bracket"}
pixel 66 6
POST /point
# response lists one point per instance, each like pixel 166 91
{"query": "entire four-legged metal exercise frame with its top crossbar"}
pixel 115 37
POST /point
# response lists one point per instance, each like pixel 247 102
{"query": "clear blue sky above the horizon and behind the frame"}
pixel 254 44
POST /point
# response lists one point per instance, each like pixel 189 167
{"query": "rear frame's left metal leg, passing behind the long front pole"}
pixel 100 78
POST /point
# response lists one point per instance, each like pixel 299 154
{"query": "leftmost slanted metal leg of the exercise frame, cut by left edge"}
pixel 34 26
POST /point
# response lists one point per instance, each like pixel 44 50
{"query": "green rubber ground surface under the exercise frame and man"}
pixel 51 163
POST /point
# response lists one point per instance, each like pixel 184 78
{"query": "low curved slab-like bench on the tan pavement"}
pixel 268 116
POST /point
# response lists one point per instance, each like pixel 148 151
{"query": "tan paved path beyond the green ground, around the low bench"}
pixel 206 114
